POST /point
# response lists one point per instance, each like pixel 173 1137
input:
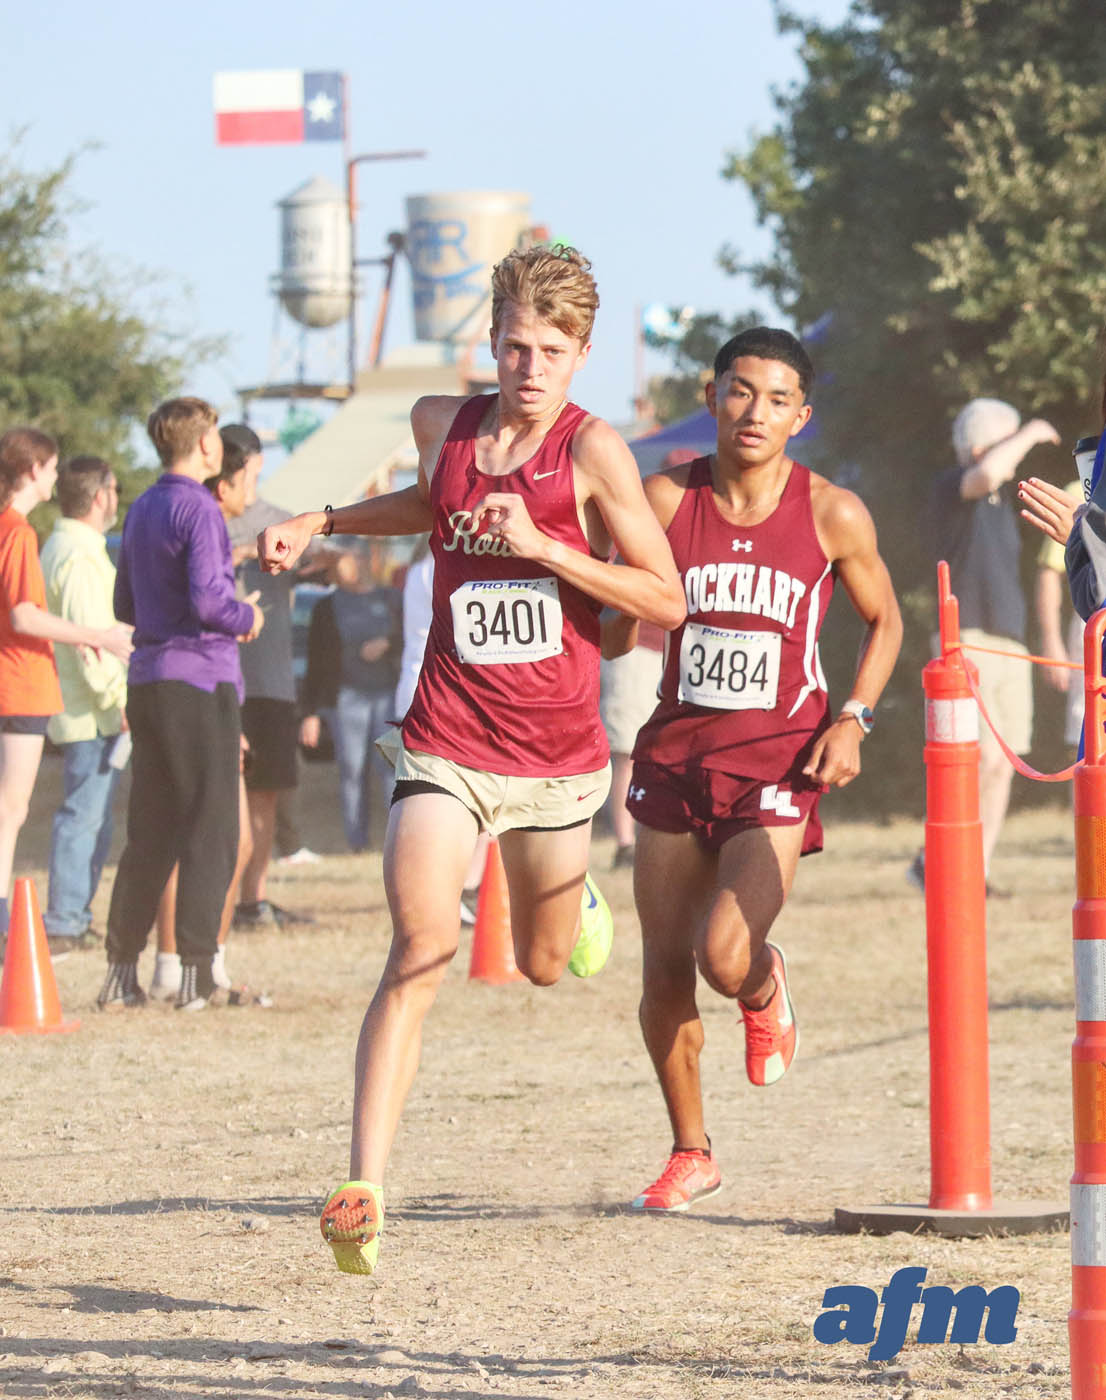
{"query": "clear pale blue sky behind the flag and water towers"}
pixel 615 120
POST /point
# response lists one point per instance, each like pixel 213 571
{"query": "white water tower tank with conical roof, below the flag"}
pixel 314 279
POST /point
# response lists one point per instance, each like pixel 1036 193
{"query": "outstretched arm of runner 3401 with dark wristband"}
pixel 397 513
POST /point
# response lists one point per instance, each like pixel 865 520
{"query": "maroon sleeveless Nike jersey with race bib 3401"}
pixel 510 681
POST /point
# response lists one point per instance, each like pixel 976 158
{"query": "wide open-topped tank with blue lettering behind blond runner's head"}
pixel 453 243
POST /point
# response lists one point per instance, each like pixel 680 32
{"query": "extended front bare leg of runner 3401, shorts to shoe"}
pixel 428 850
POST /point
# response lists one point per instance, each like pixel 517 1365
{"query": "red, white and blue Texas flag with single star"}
pixel 278 106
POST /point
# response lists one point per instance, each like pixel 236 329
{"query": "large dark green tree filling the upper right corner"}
pixel 933 187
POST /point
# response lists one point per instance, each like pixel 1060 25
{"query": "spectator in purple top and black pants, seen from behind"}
pixel 176 584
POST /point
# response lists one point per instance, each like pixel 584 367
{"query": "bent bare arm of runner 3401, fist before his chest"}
pixel 646 584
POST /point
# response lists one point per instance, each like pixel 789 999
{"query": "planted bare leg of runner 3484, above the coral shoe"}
pixel 674 878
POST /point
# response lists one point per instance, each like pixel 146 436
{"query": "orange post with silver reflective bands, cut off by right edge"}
pixel 1087 1321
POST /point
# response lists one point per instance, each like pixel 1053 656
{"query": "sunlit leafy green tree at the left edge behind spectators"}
pixel 76 358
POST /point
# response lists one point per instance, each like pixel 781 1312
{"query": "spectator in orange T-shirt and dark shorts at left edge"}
pixel 30 692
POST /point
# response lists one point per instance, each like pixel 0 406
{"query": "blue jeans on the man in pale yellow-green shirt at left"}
pixel 82 835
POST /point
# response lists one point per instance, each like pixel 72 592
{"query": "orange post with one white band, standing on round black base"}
pixel 955 929
